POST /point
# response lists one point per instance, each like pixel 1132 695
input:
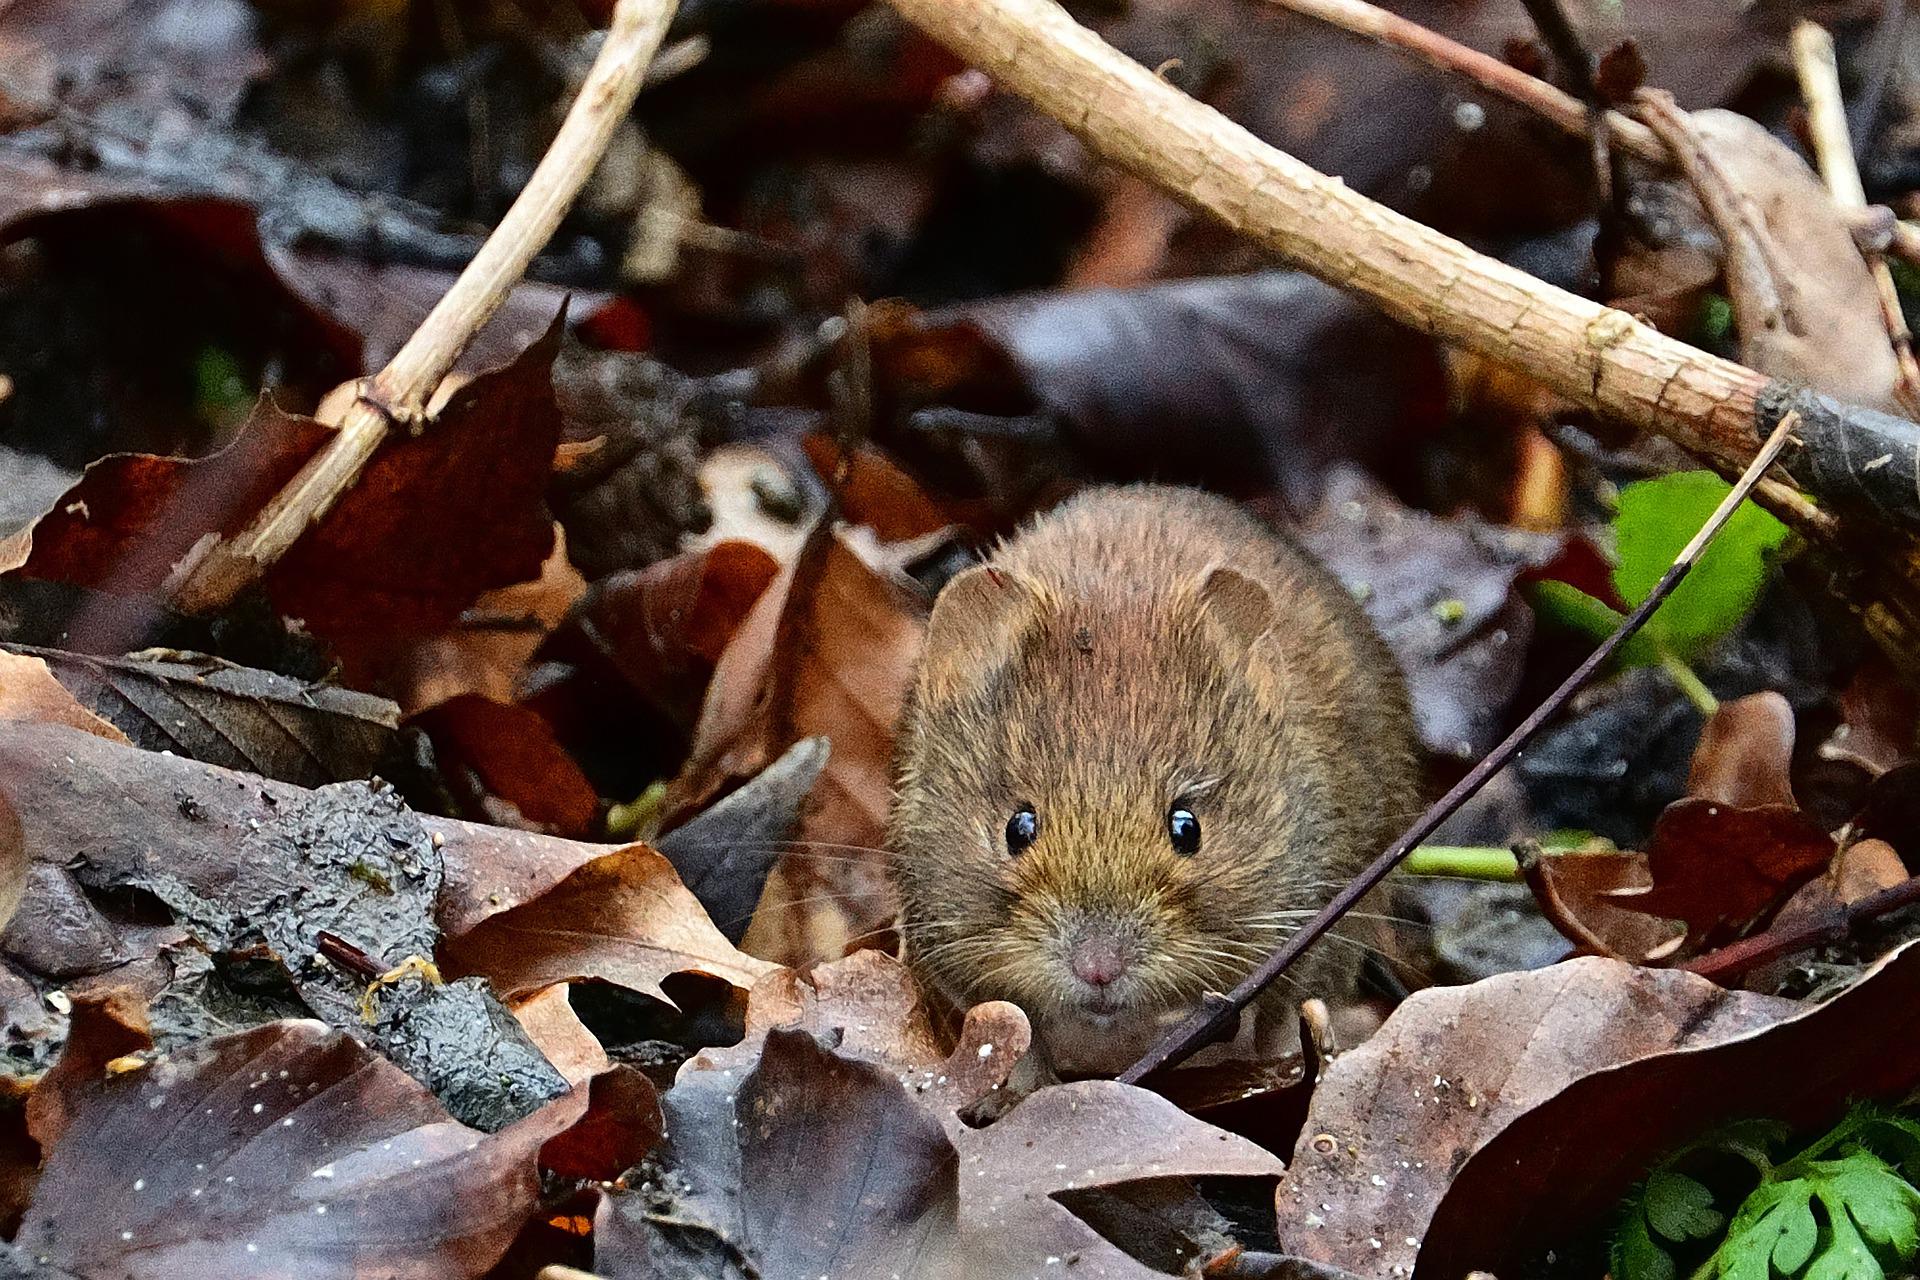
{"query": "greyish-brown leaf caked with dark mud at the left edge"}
pixel 258 870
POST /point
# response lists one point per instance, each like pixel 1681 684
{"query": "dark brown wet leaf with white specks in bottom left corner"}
pixel 289 1150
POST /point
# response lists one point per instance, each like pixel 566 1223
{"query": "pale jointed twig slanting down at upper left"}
pixel 400 392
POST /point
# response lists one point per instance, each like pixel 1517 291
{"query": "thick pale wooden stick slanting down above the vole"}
pixel 1595 356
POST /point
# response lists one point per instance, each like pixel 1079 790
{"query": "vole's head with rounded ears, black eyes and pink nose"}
pixel 1103 809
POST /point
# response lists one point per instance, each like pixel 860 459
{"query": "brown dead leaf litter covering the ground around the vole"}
pixel 594 976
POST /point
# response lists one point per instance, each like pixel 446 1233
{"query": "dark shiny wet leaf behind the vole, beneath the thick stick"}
pixel 1289 375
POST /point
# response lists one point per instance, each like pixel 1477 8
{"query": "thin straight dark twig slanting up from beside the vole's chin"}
pixel 1220 1014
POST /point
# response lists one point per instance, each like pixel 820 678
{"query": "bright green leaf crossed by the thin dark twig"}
pixel 1656 521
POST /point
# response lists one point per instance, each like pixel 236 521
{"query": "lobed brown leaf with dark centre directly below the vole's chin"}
pixel 896 1181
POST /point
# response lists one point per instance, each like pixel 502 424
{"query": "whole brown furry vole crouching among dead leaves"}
pixel 1145 742
